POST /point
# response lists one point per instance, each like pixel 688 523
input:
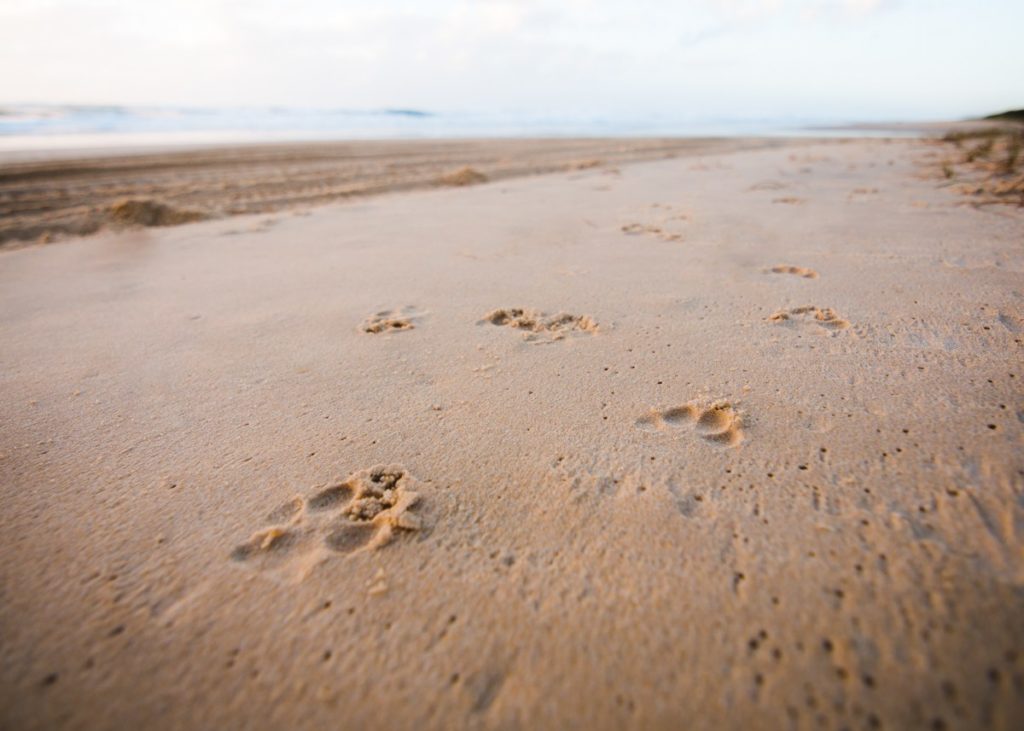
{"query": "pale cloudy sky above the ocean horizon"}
pixel 858 60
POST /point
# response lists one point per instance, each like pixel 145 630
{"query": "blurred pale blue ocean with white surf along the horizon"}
pixel 55 127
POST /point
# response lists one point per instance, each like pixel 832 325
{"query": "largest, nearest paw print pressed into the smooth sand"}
pixel 362 513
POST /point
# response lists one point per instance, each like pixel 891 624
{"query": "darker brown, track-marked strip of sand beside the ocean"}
pixel 49 195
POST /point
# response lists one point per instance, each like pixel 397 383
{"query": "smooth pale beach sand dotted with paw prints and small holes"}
pixel 837 546
